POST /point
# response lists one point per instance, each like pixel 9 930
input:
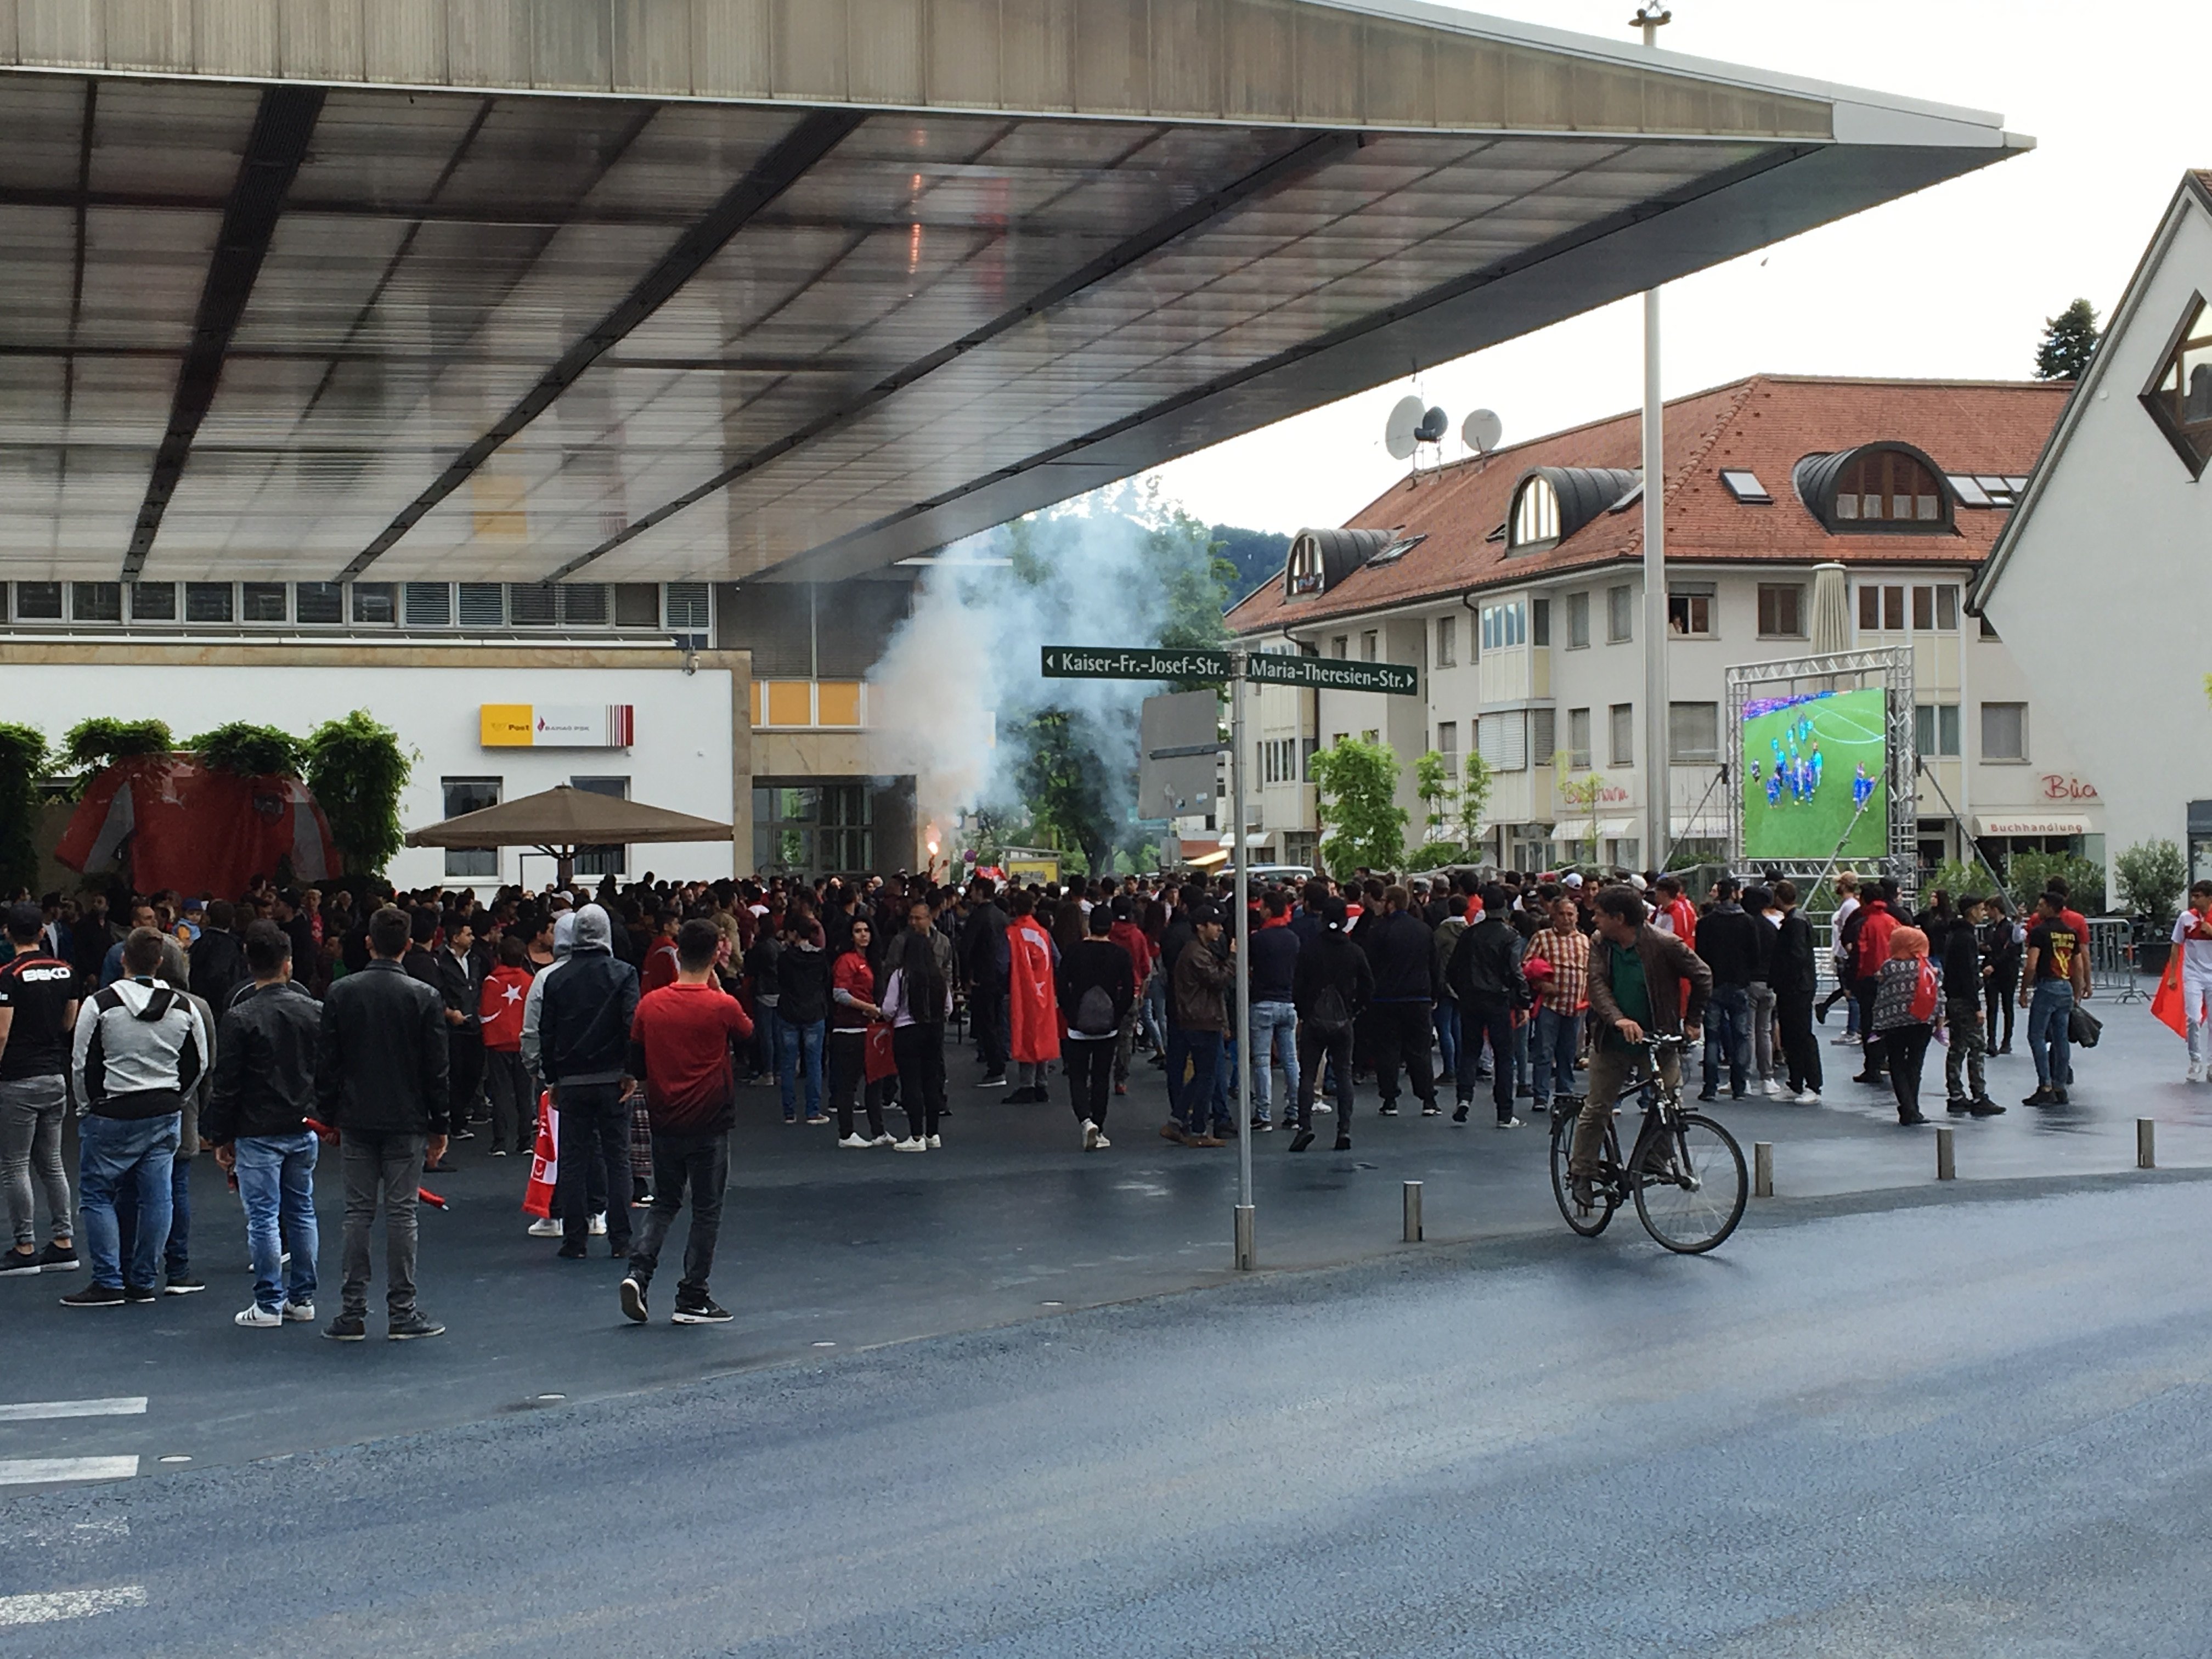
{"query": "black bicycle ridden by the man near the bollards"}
pixel 1687 1171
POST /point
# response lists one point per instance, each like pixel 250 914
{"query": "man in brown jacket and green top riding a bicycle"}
pixel 1642 981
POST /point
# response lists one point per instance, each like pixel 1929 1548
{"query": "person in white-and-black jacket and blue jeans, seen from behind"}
pixel 138 1050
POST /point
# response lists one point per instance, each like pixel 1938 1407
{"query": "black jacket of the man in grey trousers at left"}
pixel 382 1063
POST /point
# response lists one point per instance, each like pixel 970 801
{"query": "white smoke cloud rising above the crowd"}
pixel 966 667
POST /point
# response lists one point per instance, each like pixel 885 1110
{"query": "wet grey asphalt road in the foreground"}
pixel 1968 1428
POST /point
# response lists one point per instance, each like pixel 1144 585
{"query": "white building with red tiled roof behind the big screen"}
pixel 1516 587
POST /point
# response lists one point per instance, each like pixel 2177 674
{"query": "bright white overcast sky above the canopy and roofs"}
pixel 1950 284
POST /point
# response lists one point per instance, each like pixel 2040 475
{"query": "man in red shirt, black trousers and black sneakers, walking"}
pixel 680 1047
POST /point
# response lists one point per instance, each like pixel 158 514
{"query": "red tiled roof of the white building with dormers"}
pixel 1762 426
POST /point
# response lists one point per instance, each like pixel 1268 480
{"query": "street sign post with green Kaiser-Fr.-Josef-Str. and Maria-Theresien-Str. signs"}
pixel 1235 667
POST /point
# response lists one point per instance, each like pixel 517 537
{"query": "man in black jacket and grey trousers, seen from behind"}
pixel 382 1081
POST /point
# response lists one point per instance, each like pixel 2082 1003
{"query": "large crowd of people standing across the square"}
pixel 607 1036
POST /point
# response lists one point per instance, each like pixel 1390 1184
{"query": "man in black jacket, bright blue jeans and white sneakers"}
pixel 258 1120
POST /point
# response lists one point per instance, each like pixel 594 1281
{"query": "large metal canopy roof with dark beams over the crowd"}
pixel 731 289
